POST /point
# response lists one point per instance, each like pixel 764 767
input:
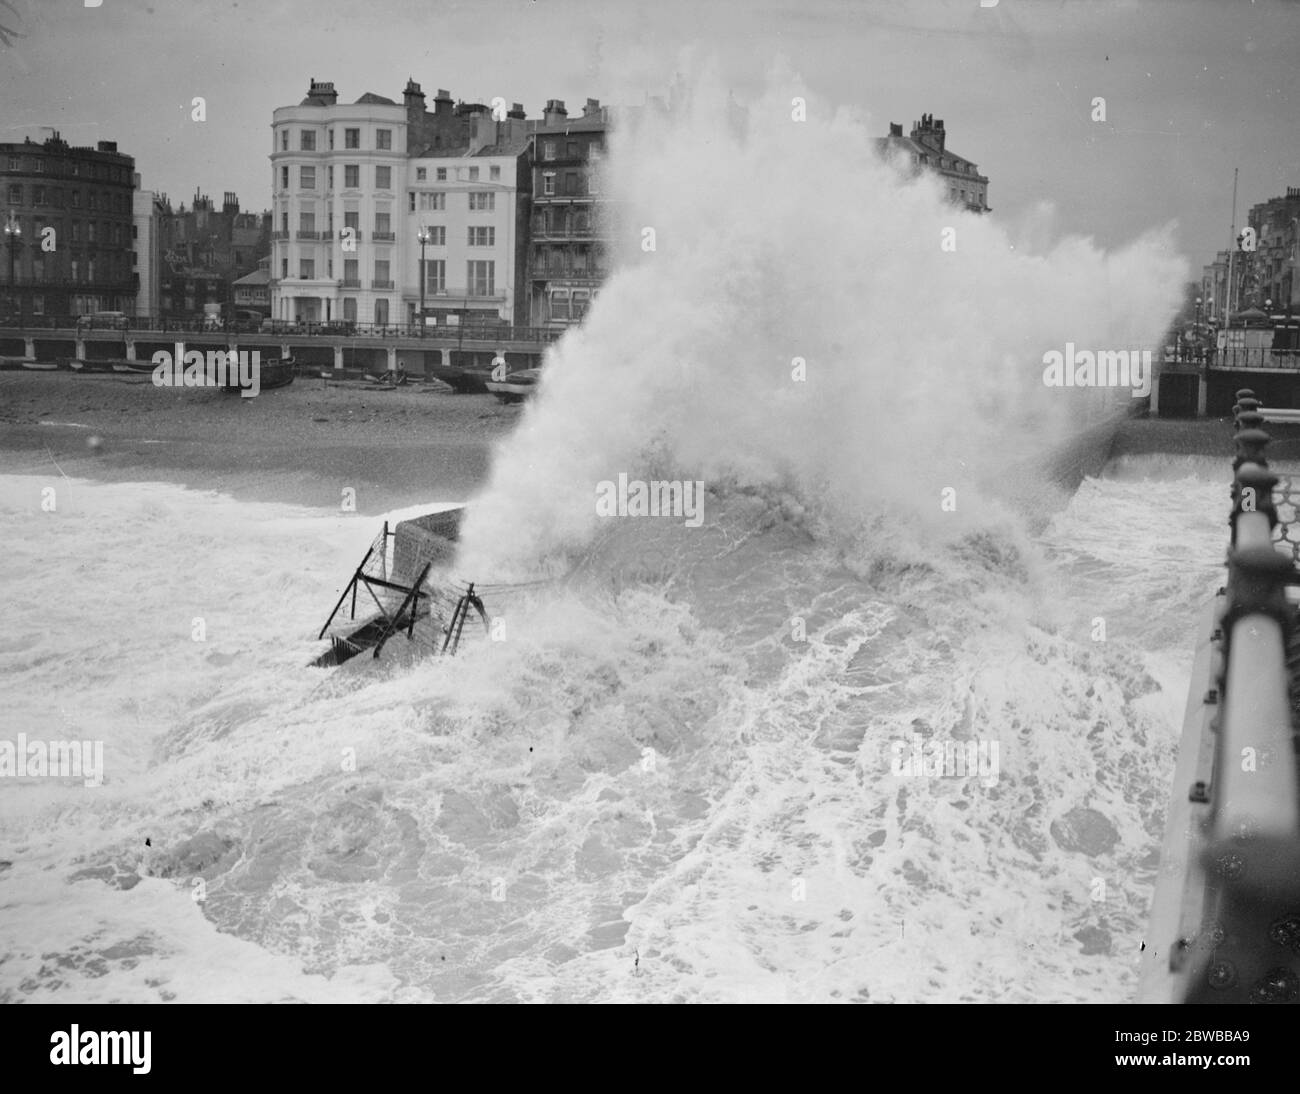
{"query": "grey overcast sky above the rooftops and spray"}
pixel 1193 88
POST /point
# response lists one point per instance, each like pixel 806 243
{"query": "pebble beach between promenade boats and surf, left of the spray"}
pixel 301 445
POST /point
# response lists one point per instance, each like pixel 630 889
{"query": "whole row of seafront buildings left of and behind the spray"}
pixel 502 211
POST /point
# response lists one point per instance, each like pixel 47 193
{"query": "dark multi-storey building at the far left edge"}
pixel 70 215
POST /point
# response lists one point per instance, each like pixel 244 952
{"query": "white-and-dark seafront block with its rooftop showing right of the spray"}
pixel 509 209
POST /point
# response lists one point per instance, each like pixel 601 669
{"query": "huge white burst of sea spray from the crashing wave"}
pixel 800 320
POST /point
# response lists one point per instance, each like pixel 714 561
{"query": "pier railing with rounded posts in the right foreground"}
pixel 1240 940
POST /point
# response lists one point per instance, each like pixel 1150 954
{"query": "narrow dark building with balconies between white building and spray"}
pixel 567 259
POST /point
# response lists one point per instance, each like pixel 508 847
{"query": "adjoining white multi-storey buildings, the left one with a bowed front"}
pixel 350 199
